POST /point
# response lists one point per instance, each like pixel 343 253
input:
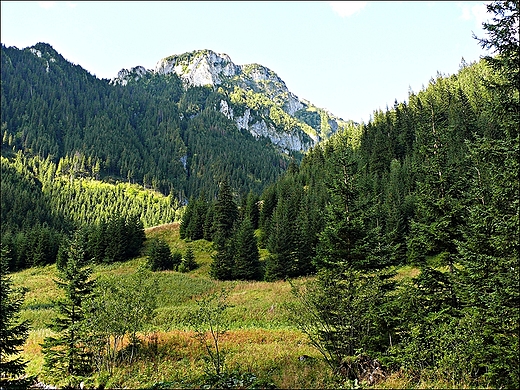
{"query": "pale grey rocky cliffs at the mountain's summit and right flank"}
pixel 207 68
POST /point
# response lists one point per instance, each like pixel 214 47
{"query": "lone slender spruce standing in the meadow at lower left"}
pixel 67 356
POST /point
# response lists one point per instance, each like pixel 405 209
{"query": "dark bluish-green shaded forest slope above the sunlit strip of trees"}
pixel 150 131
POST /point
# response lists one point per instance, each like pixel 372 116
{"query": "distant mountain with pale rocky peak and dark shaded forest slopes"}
pixel 194 120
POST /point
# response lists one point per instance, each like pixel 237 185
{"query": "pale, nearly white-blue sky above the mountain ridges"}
pixel 350 58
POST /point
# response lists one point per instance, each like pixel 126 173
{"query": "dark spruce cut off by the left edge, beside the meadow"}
pixel 13 333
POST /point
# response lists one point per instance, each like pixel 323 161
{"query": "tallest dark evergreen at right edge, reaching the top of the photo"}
pixel 490 248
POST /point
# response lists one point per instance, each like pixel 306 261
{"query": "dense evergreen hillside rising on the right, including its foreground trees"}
pixel 432 182
